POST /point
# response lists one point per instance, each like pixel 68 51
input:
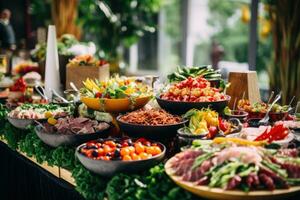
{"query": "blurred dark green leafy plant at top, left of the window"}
pixel 112 24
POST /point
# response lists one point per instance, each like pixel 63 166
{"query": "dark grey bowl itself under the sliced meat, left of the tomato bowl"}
pixel 58 139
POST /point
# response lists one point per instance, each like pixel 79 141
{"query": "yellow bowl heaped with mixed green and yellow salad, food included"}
pixel 115 95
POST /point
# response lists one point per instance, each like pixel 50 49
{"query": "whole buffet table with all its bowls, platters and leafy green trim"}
pixel 116 145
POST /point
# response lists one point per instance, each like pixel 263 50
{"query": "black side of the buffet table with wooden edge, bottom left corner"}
pixel 21 178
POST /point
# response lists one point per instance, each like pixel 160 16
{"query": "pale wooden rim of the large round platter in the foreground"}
pixel 221 194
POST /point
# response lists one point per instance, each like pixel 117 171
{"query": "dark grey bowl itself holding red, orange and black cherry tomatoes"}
pixel 109 168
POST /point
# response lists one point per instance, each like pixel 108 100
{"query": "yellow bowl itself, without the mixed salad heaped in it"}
pixel 114 105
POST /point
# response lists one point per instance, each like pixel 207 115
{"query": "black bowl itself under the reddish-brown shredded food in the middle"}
pixel 157 132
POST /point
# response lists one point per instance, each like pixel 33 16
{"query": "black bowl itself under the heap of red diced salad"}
pixel 180 107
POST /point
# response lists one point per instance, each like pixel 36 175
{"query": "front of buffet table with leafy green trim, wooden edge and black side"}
pixel 36 171
